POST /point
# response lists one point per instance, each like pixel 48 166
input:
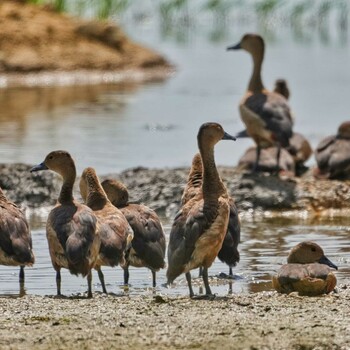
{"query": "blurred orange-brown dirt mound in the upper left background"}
pixel 35 38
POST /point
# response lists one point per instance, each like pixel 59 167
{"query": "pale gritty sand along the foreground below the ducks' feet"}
pixel 263 320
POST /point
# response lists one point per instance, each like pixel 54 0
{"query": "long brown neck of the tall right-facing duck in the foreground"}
pixel 212 185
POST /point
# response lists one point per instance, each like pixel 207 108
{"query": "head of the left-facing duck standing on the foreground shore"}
pixel 59 161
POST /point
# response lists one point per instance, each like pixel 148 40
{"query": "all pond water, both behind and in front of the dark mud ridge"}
pixel 114 127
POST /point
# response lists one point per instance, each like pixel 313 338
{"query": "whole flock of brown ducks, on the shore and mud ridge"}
pixel 108 230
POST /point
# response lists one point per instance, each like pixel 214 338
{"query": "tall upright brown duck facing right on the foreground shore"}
pixel 200 226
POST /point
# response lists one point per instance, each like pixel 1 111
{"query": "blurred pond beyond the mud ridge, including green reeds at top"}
pixel 114 127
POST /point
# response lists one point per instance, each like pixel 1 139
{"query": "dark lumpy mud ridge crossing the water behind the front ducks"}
pixel 161 189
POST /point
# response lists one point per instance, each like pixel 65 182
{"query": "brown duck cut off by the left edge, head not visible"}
pixel 15 238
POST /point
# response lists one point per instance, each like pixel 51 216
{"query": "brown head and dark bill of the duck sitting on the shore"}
pixel 308 253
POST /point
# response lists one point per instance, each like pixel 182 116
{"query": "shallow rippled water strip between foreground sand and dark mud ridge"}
pixel 264 248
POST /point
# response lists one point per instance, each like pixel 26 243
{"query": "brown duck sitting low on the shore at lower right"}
pixel 308 272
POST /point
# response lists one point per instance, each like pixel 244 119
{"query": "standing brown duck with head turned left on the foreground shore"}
pixel 71 229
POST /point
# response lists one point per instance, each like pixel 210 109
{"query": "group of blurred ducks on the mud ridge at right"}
pixel 269 121
